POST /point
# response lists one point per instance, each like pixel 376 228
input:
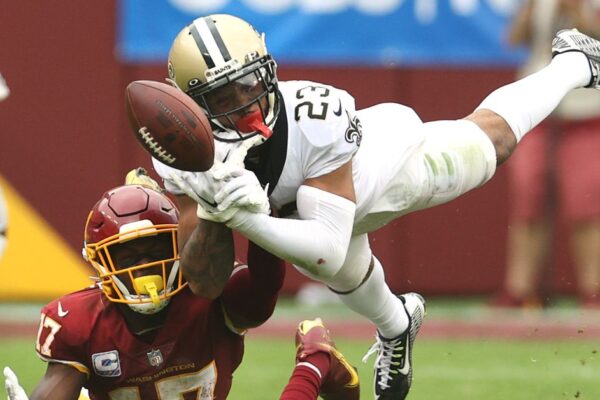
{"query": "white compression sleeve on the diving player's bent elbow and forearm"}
pixel 317 242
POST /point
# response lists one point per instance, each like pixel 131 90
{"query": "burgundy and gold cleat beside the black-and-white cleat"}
pixel 341 381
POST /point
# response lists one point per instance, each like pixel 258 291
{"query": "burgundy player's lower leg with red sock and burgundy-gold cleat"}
pixel 320 368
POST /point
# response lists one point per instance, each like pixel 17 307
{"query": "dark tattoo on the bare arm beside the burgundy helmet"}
pixel 207 258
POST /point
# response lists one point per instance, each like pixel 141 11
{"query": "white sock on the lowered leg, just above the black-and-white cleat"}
pixel 374 300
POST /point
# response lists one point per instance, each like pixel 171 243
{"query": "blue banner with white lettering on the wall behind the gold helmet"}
pixel 367 32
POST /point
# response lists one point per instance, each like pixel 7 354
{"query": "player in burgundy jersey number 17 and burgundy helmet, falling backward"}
pixel 140 333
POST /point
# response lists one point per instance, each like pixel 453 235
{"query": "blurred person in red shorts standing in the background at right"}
pixel 562 156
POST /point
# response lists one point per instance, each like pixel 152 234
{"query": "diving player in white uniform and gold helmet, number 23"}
pixel 333 174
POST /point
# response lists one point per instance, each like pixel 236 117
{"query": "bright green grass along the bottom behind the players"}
pixel 453 369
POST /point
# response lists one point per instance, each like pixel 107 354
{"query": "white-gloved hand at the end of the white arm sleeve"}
pixel 243 190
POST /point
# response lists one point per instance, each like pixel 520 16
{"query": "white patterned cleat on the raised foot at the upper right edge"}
pixel 568 40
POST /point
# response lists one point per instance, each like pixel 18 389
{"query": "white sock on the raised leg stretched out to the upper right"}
pixel 527 102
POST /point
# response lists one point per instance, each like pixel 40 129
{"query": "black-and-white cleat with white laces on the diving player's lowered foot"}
pixel 393 365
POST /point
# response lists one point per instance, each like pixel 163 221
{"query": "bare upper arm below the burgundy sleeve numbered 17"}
pixel 61 382
